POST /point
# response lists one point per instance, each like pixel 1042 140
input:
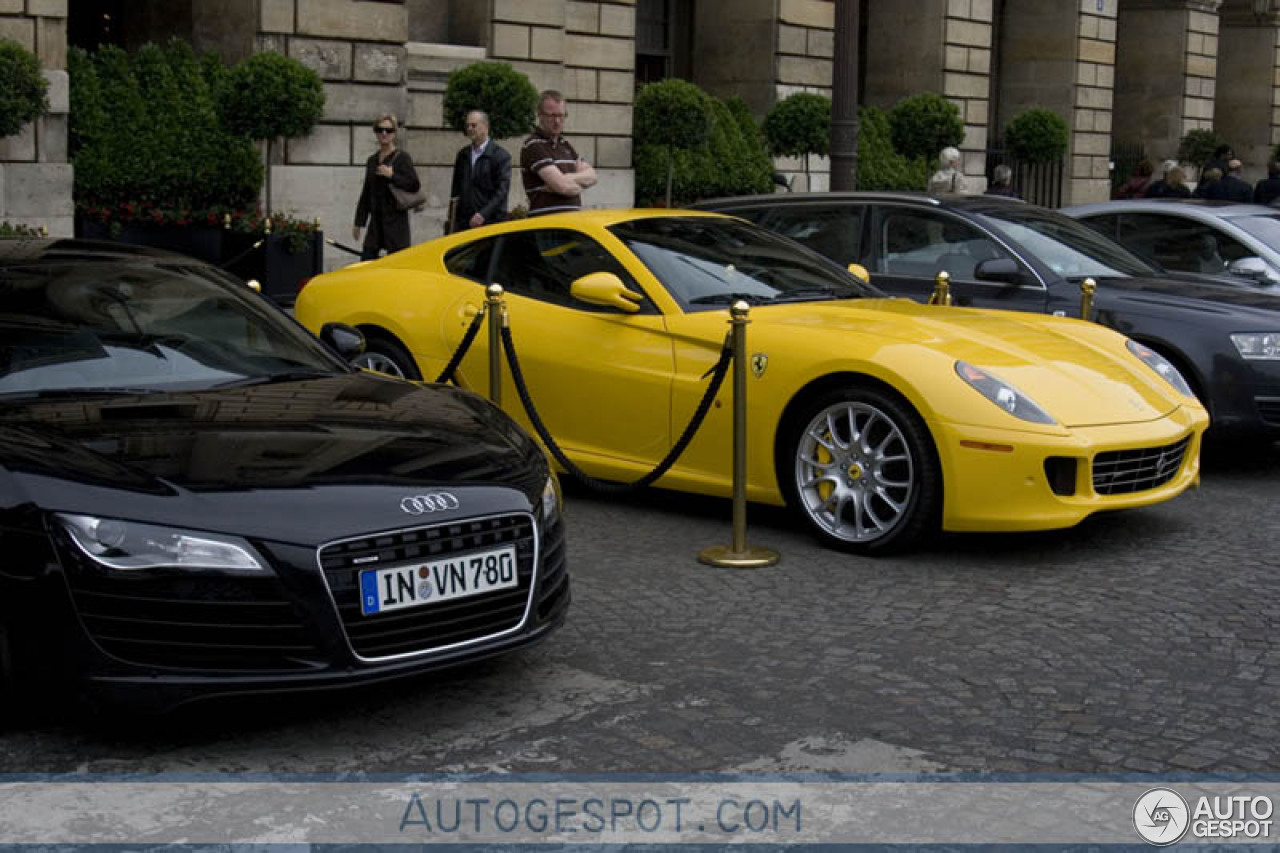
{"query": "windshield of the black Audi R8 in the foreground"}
pixel 136 327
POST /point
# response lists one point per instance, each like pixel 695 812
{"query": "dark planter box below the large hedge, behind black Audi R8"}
pixel 272 266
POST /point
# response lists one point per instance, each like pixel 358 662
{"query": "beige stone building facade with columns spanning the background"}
pixel 1121 72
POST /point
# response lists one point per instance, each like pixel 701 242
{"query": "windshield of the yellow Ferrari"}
pixel 708 263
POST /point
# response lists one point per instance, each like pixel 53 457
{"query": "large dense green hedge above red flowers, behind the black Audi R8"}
pixel 145 134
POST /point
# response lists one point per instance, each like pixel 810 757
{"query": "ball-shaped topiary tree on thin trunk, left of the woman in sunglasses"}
pixel 269 97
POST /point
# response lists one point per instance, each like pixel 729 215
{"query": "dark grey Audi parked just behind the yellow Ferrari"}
pixel 1224 337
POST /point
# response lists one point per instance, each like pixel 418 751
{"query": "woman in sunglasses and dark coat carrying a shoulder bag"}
pixel 388 225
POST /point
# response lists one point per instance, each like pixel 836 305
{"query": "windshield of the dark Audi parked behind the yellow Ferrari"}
pixel 1068 248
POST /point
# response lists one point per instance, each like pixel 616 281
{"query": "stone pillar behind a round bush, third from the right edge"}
pixel 1062 57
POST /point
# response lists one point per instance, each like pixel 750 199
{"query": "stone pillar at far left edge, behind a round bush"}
pixel 35 176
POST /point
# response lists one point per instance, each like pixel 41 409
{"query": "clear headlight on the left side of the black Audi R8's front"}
pixel 129 546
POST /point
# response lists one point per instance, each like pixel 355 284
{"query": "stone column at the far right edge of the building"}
pixel 1247 110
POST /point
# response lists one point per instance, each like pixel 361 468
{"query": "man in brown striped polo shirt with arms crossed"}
pixel 555 176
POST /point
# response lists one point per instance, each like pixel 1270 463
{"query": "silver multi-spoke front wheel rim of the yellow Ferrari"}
pixel 856 472
